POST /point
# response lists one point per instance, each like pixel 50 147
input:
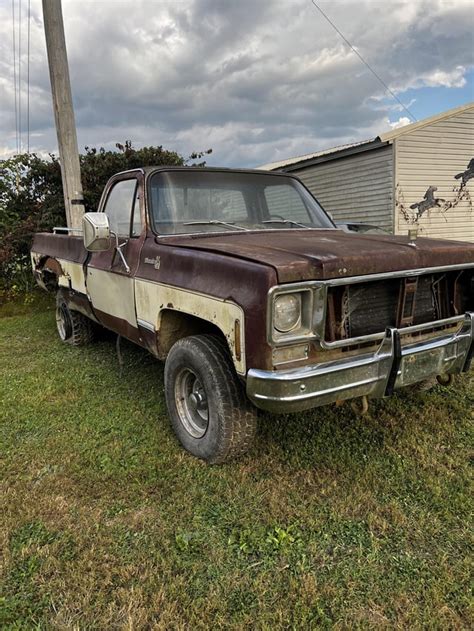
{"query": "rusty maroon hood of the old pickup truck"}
pixel 321 254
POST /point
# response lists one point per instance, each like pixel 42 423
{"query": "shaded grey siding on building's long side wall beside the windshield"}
pixel 358 188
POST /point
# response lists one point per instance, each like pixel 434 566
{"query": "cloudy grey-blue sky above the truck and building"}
pixel 255 80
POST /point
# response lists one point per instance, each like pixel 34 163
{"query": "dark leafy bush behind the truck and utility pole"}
pixel 31 198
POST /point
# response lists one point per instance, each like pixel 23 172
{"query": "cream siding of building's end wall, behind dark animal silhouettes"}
pixel 432 156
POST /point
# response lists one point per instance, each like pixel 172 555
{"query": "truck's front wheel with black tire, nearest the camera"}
pixel 208 409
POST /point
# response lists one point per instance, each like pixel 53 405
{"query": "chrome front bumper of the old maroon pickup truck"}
pixel 378 374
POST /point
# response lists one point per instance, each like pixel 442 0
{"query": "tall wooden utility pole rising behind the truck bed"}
pixel 63 112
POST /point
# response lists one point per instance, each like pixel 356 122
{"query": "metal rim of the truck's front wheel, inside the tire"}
pixel 191 403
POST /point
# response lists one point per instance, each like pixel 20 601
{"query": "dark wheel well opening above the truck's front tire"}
pixel 174 325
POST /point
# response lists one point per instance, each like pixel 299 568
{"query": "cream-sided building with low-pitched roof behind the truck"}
pixel 417 175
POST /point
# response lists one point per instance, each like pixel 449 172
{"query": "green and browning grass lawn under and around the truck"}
pixel 332 521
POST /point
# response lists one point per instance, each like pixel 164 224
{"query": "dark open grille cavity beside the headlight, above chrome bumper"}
pixel 366 308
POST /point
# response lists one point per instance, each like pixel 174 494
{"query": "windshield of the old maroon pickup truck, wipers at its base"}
pixel 217 201
